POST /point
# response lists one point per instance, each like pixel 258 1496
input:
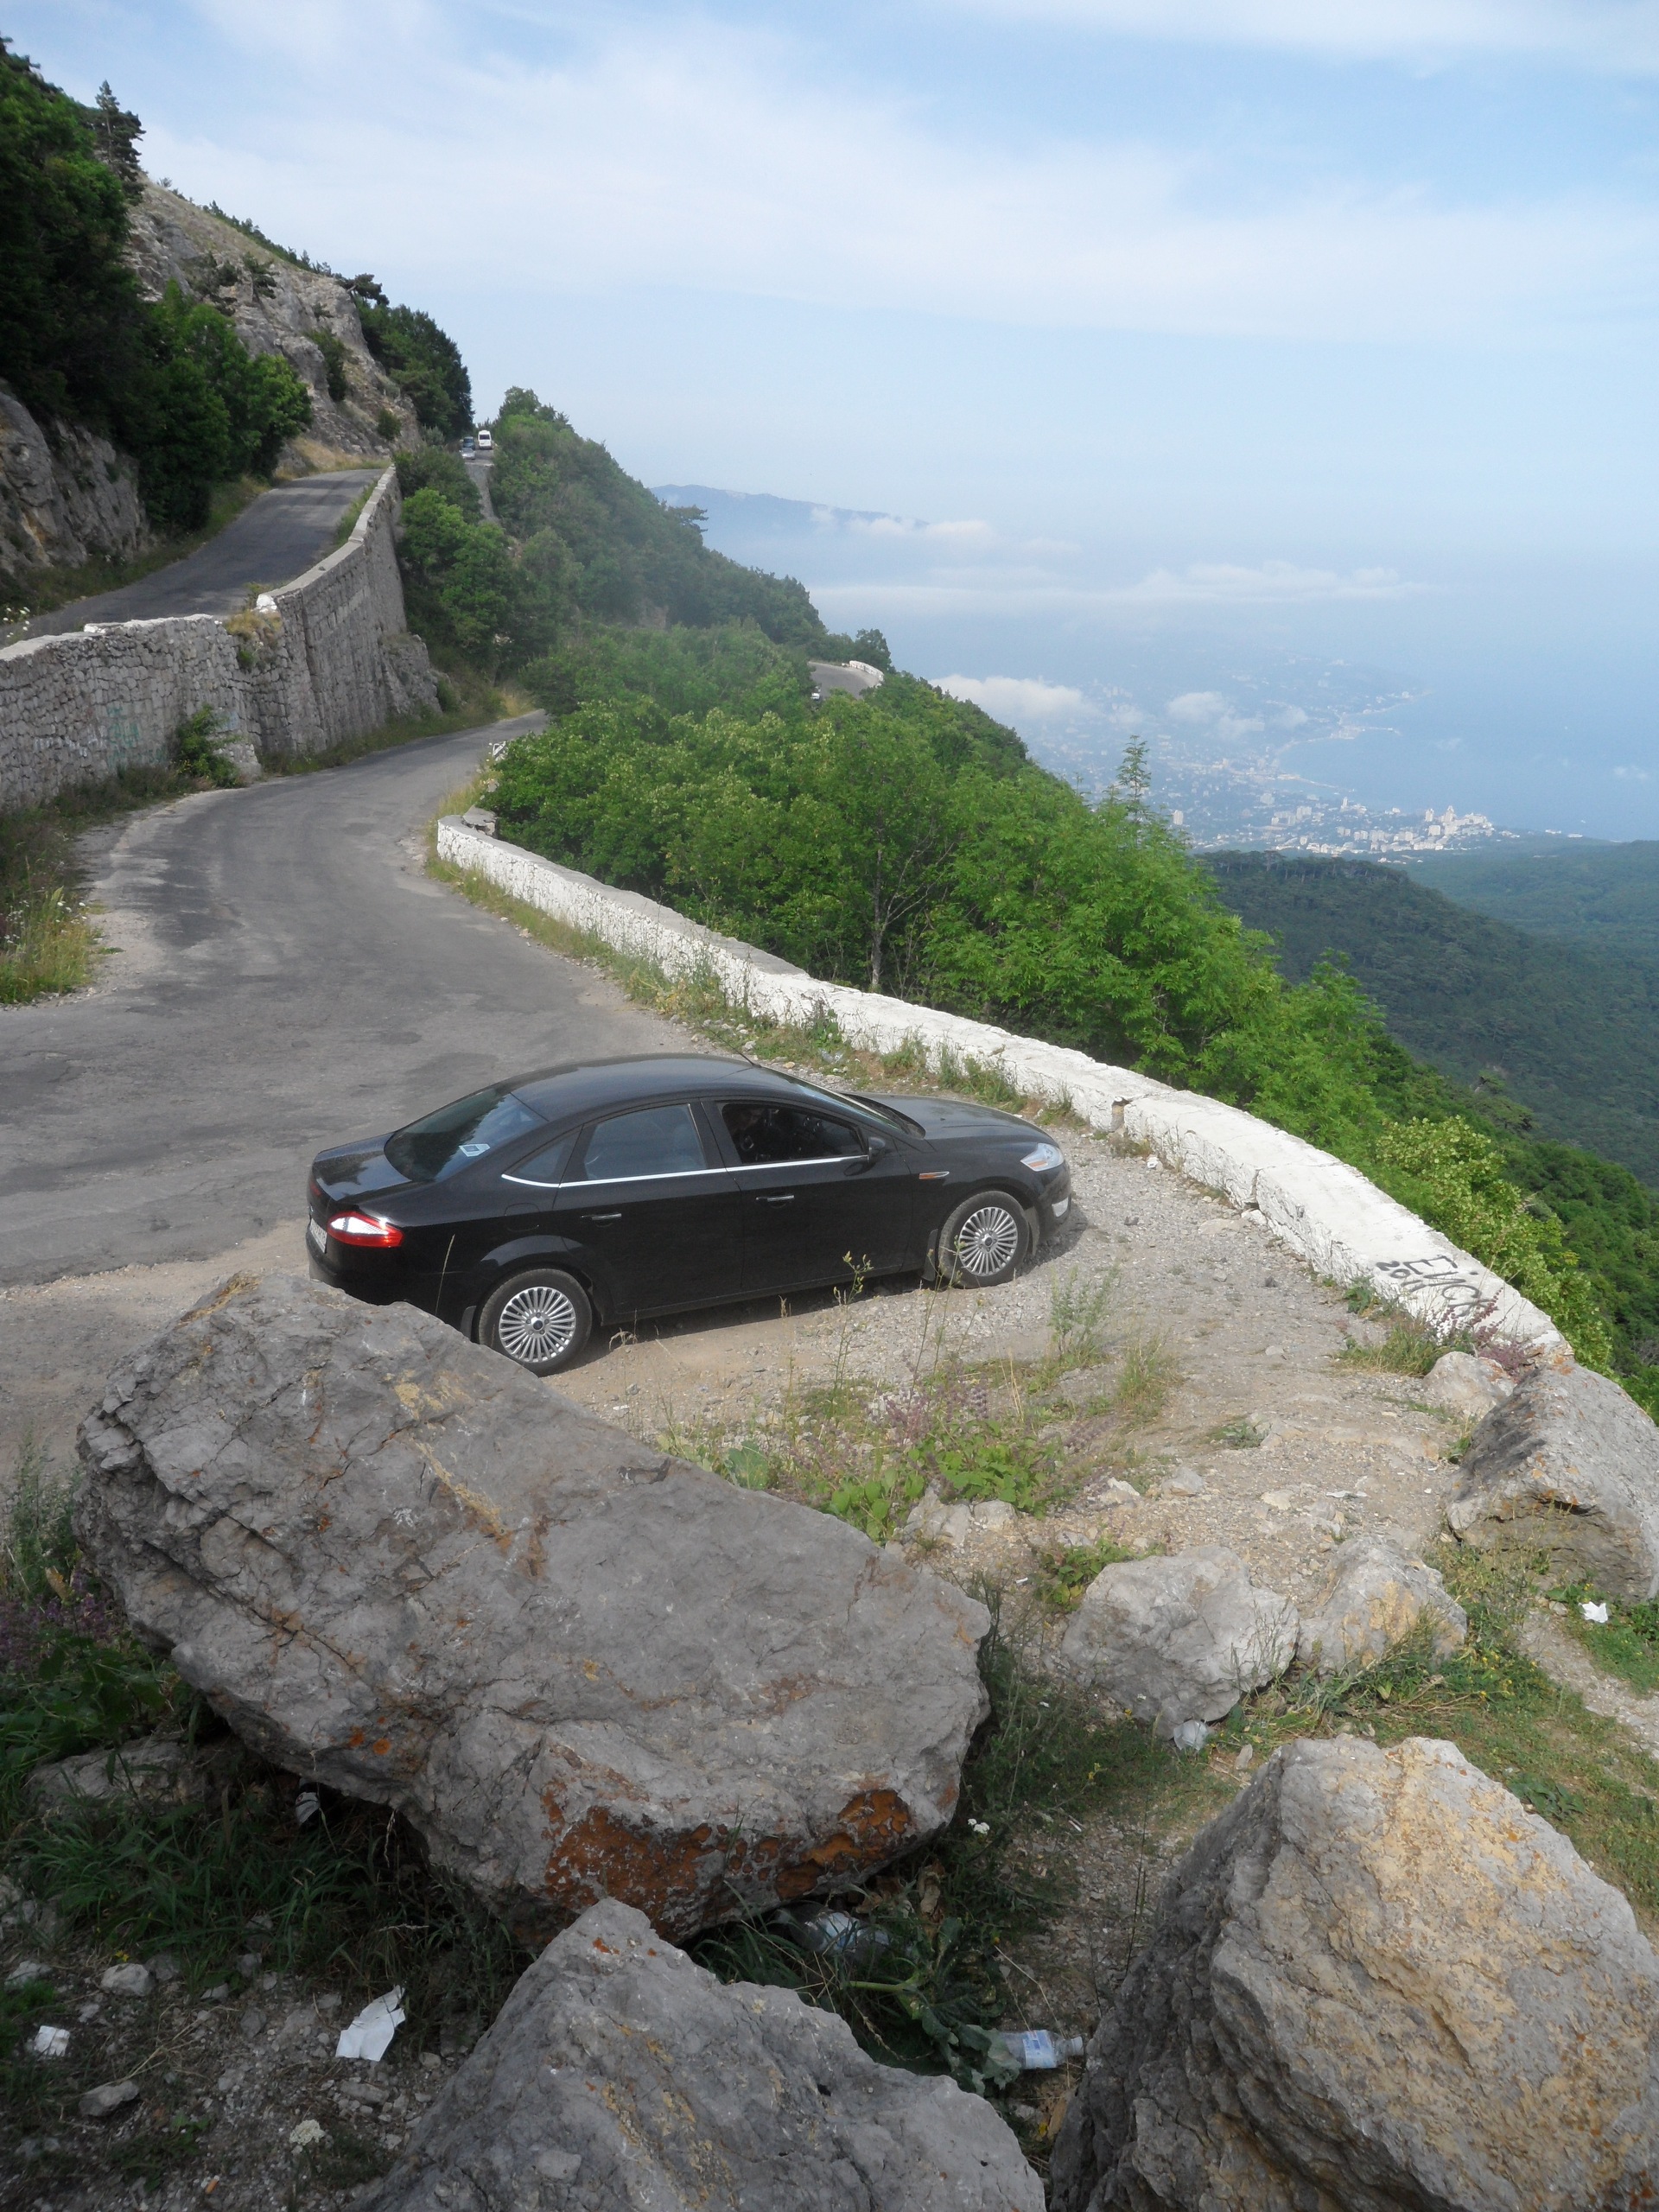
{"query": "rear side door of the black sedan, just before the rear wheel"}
pixel 651 1207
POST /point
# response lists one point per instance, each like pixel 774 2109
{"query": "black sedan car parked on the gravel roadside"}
pixel 645 1187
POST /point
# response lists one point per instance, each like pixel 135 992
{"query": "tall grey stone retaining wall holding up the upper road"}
pixel 324 660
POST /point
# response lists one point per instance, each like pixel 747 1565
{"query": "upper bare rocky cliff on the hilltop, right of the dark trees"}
pixel 278 309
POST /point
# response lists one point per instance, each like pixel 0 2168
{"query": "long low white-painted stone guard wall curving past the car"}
pixel 1324 1211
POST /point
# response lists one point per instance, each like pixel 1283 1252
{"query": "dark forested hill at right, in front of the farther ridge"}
pixel 1558 1025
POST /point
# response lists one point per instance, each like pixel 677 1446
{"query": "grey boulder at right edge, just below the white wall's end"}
pixel 1567 1465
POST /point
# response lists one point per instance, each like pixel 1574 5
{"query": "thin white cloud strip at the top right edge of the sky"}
pixel 1600 34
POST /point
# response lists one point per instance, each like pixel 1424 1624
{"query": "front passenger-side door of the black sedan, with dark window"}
pixel 824 1200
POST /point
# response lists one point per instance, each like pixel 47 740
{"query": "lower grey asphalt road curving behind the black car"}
pixel 286 979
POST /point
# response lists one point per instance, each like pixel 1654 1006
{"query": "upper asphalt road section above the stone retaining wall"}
pixel 271 543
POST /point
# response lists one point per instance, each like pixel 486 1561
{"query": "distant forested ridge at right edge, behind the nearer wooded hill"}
pixel 1605 897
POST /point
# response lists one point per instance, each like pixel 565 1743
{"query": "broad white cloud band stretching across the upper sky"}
pixel 678 158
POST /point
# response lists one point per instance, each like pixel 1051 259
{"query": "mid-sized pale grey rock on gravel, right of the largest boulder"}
pixel 1180 1640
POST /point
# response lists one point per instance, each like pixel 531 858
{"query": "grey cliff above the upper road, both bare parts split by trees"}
pixel 70 497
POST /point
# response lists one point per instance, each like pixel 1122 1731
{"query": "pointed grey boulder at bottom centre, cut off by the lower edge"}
pixel 620 2074
